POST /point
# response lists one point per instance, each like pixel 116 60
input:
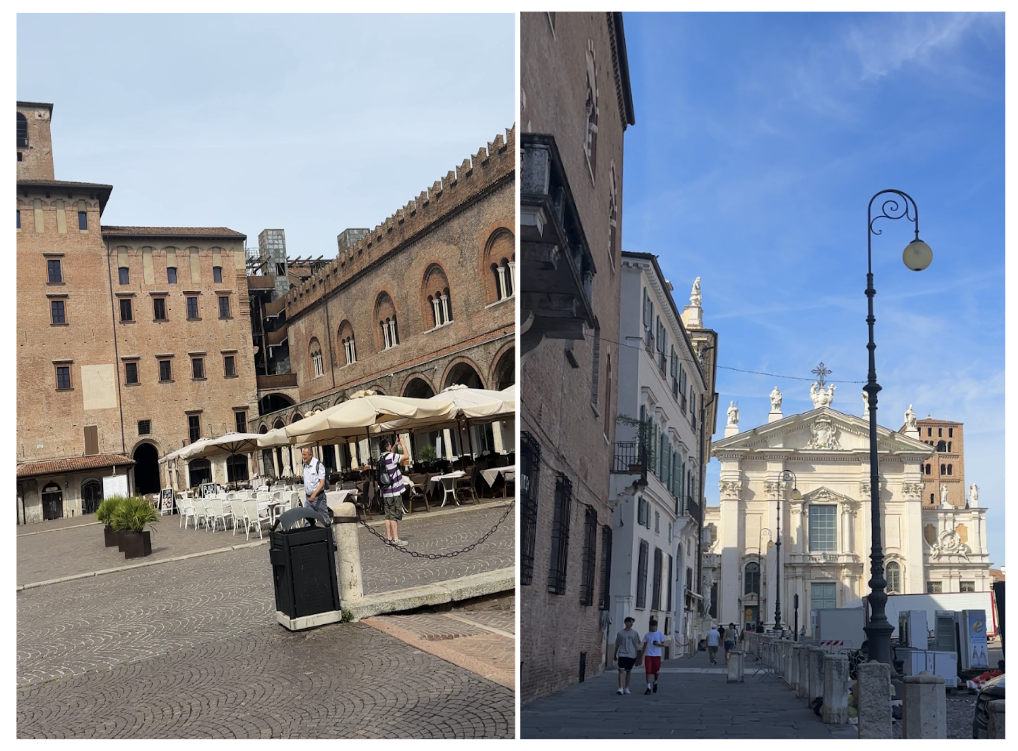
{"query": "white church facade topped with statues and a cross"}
pixel 826 534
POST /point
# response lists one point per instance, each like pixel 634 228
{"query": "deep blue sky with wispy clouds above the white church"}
pixel 760 140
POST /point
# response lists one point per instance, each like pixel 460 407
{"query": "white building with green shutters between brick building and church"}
pixel 665 396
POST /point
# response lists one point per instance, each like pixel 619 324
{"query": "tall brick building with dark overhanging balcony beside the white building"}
pixel 577 105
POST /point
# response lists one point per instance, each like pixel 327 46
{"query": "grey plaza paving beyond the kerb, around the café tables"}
pixel 66 548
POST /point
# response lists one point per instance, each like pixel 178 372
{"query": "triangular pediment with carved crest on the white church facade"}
pixel 823 430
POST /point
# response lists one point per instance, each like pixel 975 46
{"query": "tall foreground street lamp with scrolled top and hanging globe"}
pixel 917 257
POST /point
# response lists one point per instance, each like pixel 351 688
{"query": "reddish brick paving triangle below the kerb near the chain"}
pixel 481 639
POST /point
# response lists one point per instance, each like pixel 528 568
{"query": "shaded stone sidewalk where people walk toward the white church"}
pixel 695 701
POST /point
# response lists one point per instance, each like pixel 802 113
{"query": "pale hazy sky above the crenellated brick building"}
pixel 311 124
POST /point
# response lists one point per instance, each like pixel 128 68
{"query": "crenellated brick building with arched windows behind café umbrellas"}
pixel 424 301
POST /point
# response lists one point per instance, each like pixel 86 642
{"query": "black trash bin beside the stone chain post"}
pixel 304 571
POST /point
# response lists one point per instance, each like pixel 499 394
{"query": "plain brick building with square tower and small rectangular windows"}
pixel 133 341
